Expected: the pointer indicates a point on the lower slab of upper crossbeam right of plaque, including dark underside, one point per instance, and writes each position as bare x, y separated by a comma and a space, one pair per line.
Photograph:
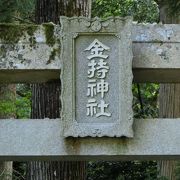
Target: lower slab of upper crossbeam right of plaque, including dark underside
156, 62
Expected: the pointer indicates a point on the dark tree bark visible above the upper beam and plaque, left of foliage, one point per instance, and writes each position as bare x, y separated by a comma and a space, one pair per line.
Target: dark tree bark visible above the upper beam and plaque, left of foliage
49, 11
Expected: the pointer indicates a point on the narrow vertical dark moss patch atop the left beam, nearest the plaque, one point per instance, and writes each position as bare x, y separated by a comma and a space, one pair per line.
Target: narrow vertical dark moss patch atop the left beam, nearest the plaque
49, 33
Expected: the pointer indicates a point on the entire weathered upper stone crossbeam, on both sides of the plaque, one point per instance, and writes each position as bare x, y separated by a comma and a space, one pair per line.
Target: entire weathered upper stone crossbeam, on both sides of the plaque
28, 52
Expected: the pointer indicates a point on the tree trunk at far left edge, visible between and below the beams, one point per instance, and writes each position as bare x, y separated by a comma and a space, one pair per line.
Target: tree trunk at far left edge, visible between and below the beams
7, 110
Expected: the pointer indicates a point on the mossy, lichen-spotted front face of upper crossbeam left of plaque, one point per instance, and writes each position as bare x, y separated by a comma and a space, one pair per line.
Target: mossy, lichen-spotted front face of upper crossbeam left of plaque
39, 49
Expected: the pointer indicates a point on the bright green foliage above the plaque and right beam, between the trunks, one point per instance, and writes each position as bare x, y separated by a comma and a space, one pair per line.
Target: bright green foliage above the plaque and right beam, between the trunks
142, 11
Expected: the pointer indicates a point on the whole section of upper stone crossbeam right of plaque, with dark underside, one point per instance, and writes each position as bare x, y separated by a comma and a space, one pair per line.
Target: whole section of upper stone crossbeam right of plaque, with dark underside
156, 51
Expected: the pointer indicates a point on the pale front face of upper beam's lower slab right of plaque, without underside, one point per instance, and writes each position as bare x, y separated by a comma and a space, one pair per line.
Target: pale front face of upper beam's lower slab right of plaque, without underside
156, 55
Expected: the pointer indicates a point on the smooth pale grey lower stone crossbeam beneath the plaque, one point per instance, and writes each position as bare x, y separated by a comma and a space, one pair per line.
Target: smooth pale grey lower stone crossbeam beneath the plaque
43, 140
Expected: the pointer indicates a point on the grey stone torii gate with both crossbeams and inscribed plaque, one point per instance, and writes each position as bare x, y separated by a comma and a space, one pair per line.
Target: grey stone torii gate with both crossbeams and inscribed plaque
30, 53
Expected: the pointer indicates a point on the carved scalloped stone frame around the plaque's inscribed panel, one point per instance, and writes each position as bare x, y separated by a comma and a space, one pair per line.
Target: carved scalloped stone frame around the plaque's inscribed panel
71, 28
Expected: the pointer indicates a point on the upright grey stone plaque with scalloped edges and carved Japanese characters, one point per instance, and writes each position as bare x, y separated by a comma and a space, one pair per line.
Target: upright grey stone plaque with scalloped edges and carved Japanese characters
96, 77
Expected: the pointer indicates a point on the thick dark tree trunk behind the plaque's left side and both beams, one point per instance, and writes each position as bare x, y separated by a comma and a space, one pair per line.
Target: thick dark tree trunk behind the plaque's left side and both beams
45, 97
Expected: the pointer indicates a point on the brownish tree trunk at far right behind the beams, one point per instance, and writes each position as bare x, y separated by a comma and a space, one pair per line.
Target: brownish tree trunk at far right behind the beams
169, 97
